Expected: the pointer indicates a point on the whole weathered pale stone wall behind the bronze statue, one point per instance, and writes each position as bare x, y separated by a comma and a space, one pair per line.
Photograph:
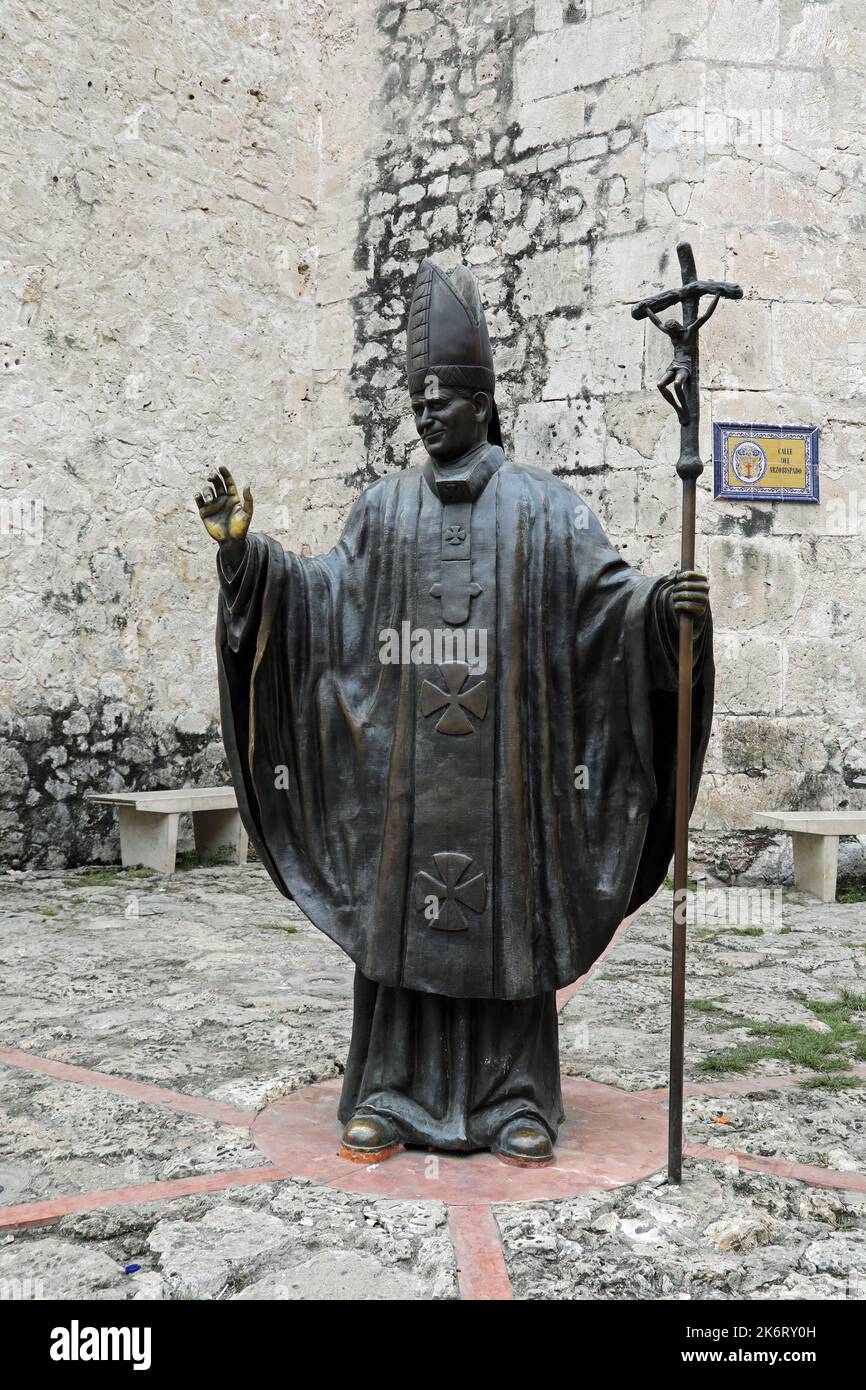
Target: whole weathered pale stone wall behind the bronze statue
209, 263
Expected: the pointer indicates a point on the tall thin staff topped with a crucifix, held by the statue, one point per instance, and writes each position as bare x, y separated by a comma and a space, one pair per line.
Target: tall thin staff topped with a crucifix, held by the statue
680, 387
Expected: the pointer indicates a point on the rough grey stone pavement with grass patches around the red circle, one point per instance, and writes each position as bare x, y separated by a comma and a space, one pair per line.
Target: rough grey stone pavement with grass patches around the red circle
211, 985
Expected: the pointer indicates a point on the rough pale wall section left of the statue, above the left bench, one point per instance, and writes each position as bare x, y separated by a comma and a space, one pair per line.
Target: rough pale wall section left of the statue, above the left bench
162, 166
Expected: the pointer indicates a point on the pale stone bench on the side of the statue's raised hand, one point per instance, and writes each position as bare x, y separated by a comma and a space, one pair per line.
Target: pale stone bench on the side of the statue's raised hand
149, 824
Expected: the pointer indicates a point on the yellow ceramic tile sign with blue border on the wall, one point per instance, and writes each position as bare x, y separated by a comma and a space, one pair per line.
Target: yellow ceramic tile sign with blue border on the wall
765, 464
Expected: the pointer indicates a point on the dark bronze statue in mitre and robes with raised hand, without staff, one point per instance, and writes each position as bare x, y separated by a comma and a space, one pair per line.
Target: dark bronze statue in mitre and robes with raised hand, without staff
405, 717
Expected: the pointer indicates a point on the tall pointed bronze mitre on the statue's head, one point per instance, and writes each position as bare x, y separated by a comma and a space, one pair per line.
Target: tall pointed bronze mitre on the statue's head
447, 336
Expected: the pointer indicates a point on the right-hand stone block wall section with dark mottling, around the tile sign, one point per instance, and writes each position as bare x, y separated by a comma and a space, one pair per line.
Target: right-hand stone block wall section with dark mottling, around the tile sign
562, 149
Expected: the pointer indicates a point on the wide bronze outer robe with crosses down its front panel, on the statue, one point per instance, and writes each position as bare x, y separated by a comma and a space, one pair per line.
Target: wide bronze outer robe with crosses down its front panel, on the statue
437, 822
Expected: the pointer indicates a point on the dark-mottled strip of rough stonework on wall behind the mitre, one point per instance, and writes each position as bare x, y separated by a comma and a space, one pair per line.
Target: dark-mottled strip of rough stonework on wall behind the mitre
430, 197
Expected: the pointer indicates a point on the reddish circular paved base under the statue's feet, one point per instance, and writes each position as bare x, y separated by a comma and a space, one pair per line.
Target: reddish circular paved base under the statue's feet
610, 1138
